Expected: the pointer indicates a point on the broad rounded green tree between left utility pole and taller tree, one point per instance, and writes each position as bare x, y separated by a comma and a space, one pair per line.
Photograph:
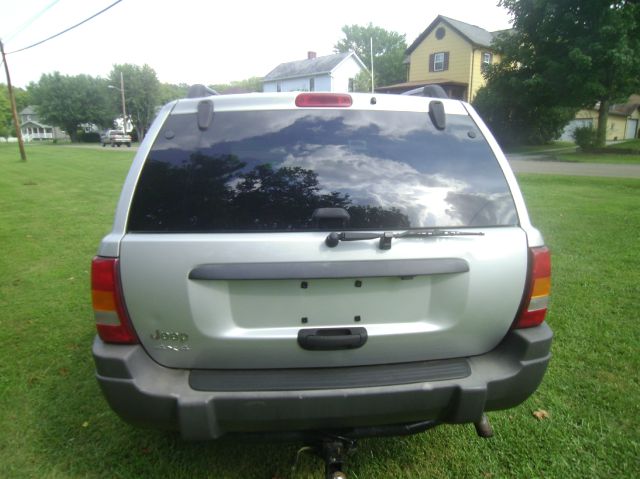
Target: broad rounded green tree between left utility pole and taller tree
68, 101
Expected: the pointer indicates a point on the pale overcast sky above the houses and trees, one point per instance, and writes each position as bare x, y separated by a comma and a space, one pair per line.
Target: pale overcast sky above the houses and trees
199, 41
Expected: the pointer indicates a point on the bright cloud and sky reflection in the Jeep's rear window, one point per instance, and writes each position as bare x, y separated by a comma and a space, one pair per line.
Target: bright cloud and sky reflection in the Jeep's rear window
389, 160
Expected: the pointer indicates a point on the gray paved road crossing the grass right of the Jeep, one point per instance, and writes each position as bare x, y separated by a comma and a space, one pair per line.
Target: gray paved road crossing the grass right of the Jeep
540, 164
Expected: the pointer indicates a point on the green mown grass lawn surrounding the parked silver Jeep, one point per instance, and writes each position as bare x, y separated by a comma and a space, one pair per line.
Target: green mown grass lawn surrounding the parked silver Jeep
55, 424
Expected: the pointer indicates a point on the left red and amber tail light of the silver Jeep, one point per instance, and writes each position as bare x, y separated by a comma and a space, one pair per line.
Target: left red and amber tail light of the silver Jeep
112, 320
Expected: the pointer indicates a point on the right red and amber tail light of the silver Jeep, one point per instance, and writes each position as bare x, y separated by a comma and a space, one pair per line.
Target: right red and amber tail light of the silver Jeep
535, 303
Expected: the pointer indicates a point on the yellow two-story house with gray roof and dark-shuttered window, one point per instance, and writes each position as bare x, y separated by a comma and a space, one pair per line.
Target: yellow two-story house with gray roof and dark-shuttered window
450, 53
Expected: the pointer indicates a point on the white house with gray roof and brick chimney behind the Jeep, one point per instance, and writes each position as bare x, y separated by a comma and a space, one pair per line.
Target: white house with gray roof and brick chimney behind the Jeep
329, 73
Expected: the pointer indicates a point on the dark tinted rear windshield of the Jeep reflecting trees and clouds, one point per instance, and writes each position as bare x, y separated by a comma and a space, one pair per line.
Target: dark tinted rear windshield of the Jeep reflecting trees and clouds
281, 170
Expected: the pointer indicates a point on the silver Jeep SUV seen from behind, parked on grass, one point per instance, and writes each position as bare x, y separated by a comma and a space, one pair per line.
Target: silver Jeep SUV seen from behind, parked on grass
356, 264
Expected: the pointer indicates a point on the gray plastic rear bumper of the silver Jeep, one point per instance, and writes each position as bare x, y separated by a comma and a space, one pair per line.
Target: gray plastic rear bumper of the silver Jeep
143, 392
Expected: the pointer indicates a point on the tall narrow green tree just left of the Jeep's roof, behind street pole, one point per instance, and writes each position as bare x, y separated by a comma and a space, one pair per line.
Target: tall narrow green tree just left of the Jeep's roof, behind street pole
142, 93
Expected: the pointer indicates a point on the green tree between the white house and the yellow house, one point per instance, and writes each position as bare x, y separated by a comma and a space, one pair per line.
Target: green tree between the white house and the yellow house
388, 51
